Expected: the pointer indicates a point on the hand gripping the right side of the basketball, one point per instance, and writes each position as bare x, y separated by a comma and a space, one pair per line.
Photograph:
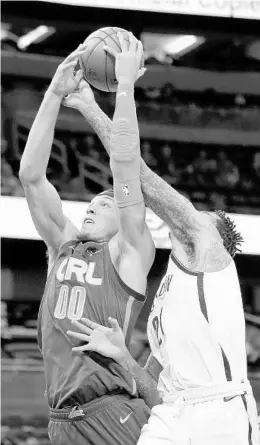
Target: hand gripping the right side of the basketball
127, 63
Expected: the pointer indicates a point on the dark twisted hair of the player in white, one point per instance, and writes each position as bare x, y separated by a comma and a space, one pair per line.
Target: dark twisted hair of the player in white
231, 238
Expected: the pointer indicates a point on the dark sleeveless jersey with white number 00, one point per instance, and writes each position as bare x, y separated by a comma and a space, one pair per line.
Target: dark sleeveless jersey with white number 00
83, 283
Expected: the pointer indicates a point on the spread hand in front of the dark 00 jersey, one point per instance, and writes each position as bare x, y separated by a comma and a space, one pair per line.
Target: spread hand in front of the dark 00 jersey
109, 342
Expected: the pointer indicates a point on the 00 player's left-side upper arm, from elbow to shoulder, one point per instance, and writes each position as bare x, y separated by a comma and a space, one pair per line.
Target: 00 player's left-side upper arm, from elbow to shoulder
46, 211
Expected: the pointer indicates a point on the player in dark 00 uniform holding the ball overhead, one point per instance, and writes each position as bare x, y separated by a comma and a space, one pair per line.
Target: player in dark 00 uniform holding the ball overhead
98, 271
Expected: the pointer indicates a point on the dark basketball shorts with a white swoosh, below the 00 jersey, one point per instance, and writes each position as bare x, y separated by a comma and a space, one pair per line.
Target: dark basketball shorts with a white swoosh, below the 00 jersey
109, 420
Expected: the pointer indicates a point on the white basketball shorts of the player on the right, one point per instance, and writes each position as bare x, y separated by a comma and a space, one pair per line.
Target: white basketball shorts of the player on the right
216, 422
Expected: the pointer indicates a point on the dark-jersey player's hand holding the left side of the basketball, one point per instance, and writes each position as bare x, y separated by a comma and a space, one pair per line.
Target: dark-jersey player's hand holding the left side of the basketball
64, 80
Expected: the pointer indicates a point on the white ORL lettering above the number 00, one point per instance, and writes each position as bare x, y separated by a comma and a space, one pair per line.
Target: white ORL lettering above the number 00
75, 268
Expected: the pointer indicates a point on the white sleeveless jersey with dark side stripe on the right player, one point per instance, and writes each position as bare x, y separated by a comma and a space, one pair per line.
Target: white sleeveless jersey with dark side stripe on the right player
196, 328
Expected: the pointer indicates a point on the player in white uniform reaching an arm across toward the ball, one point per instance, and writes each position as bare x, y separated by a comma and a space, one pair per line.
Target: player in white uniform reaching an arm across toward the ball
196, 327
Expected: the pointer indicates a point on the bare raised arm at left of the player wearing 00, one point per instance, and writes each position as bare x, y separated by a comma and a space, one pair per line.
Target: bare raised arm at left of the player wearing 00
43, 200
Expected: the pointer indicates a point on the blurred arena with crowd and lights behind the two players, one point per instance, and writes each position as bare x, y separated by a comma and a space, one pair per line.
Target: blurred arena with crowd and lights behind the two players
198, 107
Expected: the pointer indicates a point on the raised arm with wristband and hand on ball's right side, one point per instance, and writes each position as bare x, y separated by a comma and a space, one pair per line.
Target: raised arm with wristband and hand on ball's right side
134, 236
